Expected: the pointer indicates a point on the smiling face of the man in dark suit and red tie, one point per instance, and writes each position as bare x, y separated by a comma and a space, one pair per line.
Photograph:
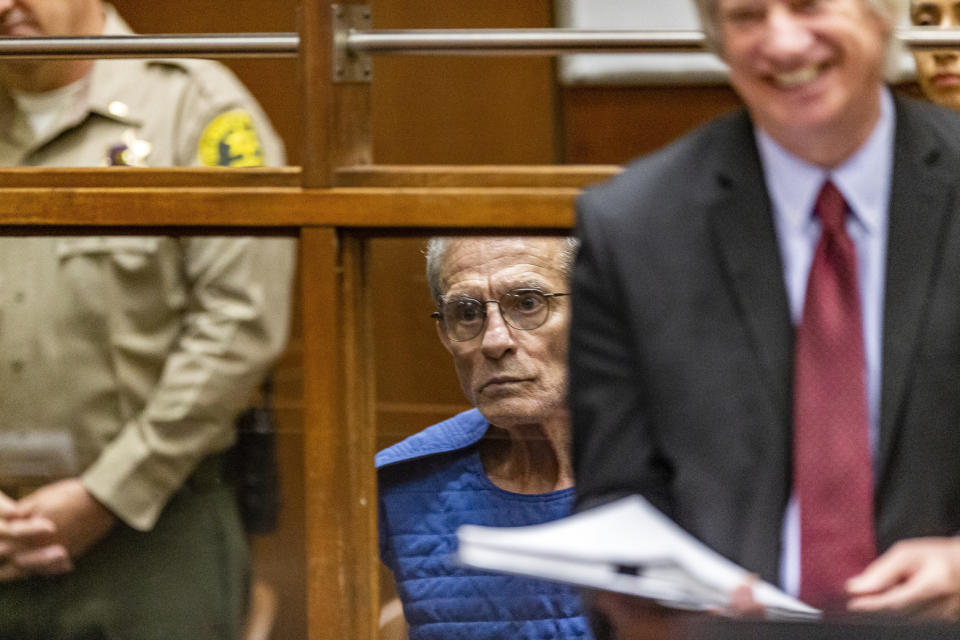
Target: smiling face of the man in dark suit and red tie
809, 71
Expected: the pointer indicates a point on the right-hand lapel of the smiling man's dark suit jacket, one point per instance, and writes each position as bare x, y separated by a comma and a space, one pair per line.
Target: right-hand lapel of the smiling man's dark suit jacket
921, 195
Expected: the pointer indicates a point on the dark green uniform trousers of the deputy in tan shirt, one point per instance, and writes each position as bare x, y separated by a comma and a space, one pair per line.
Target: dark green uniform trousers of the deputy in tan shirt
187, 579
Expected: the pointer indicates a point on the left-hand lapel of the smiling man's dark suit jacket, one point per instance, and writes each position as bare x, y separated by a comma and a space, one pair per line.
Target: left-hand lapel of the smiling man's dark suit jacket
744, 235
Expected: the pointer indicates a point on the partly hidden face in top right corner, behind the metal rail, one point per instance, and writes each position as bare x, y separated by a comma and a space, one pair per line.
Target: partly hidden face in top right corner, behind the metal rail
938, 72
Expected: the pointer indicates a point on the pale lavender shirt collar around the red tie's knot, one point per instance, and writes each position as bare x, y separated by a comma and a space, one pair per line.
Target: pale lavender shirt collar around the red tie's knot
863, 179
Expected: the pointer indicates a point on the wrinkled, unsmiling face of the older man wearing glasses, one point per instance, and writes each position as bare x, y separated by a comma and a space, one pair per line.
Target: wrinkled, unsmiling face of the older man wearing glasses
513, 377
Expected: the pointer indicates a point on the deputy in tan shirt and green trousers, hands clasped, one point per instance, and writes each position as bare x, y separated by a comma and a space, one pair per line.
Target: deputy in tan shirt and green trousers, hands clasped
123, 360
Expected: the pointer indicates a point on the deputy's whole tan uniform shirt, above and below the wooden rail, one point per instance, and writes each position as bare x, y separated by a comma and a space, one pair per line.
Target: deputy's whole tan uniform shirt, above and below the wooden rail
125, 359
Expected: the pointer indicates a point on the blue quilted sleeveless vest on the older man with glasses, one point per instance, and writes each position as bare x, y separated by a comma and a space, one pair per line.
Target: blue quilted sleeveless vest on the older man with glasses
430, 484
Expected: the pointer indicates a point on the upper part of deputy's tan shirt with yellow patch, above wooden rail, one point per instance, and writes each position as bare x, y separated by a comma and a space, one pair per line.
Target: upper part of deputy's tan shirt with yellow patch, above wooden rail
184, 109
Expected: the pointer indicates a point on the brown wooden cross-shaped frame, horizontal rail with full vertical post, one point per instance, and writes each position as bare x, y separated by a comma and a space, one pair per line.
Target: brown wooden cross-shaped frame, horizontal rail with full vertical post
334, 204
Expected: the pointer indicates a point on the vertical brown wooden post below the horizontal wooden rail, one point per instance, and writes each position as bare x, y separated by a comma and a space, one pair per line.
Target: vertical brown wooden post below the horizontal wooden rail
342, 565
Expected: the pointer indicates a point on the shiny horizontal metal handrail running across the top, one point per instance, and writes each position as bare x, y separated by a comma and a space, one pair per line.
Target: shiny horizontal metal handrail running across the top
401, 42
